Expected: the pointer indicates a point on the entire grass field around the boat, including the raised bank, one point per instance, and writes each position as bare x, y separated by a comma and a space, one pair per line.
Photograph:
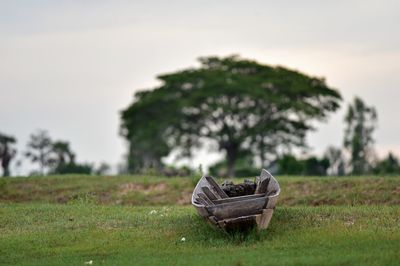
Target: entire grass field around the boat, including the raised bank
71, 220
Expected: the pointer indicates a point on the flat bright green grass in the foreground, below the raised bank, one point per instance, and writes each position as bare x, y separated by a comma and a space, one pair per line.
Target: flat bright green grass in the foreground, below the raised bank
54, 234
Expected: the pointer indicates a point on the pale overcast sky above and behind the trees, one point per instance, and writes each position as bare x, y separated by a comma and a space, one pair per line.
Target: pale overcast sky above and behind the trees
70, 66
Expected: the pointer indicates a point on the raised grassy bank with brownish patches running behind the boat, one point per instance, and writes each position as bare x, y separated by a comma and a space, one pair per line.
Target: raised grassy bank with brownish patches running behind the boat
142, 190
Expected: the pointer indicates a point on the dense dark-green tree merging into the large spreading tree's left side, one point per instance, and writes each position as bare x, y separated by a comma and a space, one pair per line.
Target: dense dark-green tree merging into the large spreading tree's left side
144, 125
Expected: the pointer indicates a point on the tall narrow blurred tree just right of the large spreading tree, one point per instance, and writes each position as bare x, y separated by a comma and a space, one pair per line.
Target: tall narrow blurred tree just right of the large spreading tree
360, 125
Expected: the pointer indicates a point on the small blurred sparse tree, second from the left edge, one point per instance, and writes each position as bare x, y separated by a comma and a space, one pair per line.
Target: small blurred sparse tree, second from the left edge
39, 150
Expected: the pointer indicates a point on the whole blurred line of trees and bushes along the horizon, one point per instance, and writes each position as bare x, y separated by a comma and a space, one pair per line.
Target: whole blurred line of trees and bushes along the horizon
256, 115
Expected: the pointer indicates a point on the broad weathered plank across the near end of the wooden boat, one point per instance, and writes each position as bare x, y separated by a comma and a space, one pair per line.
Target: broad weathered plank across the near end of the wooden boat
238, 208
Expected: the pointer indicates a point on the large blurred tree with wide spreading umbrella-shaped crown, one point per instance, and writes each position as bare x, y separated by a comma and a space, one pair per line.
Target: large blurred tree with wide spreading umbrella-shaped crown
238, 104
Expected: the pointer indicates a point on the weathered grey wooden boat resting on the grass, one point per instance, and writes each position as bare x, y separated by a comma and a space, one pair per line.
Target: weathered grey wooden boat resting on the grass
241, 212
